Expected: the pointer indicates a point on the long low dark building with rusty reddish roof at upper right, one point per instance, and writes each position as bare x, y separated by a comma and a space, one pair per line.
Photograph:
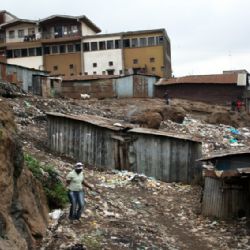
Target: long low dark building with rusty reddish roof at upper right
215, 88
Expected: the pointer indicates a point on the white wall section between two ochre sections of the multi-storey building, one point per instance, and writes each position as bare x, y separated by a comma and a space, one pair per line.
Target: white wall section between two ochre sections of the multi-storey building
102, 58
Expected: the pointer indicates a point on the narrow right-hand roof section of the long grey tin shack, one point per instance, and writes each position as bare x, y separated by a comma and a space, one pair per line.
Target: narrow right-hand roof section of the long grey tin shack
163, 133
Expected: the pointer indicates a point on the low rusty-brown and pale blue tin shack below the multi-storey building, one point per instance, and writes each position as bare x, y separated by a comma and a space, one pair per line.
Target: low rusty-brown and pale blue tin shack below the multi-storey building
108, 86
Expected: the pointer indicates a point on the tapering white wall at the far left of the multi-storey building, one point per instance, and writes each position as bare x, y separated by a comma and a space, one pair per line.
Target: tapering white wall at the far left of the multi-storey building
35, 62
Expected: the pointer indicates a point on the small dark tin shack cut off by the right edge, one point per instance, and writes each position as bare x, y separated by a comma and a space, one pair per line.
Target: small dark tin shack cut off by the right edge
227, 185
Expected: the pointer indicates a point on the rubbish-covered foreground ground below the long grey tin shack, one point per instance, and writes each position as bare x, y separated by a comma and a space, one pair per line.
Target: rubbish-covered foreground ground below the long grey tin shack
132, 211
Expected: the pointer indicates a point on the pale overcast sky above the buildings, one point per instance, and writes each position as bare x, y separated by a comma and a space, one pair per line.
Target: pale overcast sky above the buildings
207, 36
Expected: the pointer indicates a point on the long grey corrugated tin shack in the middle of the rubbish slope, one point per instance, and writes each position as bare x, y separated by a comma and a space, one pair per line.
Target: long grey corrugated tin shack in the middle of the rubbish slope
107, 144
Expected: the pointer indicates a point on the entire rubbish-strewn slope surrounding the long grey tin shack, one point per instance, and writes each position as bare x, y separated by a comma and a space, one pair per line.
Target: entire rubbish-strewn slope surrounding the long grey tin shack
130, 211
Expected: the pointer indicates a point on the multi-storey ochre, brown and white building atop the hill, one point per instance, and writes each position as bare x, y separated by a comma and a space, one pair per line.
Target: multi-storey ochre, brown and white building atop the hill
71, 45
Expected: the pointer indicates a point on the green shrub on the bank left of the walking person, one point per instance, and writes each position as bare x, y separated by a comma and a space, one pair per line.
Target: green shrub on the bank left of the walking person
54, 189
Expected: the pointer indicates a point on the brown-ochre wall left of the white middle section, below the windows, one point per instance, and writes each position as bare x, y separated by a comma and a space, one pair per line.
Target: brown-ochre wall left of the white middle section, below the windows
63, 62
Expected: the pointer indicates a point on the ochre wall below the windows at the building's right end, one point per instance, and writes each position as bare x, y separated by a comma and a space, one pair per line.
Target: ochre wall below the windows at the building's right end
143, 56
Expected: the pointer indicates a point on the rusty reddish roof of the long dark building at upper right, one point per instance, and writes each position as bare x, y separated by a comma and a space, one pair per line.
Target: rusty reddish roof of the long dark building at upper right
201, 79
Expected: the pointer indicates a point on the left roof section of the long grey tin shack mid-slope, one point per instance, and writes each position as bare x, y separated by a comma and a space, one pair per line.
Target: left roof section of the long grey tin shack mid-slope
95, 120
